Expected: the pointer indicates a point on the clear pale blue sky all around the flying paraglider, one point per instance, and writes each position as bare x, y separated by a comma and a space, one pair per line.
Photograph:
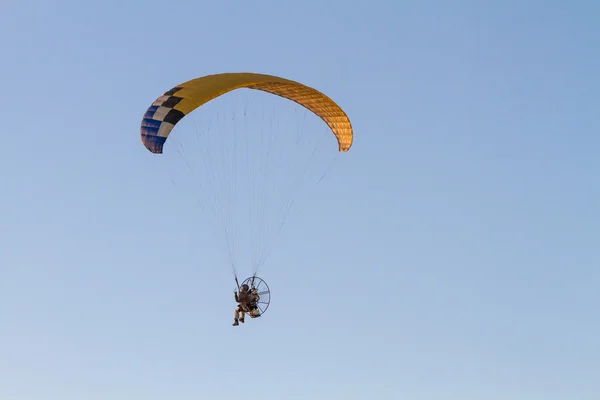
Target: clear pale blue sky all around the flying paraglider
453, 253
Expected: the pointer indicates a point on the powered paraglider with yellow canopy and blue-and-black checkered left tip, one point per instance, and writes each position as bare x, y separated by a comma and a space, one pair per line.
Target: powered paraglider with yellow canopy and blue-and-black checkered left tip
247, 178
